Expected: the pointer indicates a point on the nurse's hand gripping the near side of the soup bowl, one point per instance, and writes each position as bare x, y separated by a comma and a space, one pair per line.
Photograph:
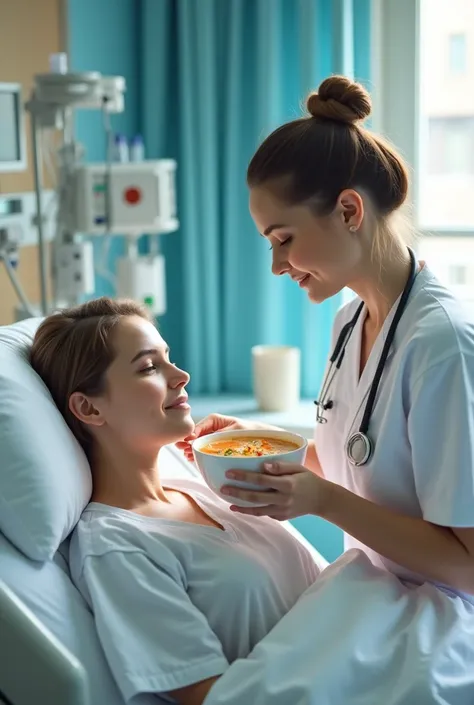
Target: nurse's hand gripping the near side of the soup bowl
291, 491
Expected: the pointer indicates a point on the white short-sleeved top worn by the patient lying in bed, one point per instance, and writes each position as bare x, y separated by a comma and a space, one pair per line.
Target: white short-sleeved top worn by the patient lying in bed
175, 603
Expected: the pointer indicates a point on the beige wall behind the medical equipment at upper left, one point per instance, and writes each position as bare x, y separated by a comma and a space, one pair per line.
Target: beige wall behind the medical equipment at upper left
30, 30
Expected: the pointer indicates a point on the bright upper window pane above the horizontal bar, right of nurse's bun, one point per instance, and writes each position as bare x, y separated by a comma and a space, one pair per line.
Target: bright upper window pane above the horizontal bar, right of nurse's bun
446, 116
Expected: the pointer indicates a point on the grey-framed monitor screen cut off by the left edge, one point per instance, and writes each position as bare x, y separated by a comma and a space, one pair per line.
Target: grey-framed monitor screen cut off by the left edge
12, 136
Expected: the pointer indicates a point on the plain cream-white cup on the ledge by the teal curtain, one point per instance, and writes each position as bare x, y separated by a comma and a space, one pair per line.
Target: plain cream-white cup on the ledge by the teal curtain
276, 376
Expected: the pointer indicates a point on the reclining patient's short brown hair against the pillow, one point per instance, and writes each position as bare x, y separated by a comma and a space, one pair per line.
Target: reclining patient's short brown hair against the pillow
72, 350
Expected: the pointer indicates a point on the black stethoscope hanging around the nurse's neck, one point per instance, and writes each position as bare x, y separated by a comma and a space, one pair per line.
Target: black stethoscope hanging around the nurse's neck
359, 447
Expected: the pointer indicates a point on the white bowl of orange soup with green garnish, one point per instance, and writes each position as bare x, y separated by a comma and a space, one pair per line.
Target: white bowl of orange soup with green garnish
217, 453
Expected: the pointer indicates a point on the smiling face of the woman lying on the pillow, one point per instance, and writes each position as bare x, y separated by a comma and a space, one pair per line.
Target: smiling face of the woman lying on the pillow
145, 403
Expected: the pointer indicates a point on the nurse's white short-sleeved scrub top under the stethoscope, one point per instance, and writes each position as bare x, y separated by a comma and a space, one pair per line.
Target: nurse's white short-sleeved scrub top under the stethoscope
422, 423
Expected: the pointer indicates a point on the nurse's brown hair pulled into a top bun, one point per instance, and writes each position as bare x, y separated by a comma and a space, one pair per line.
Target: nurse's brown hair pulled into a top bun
318, 156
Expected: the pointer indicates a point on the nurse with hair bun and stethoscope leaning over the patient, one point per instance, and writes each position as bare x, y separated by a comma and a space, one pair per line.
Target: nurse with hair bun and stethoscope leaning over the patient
392, 462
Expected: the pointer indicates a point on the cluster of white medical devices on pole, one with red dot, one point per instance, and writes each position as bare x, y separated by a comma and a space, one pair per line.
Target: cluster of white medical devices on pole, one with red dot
98, 199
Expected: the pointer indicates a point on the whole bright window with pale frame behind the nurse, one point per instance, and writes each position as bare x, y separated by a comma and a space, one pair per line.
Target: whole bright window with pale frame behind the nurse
424, 102
